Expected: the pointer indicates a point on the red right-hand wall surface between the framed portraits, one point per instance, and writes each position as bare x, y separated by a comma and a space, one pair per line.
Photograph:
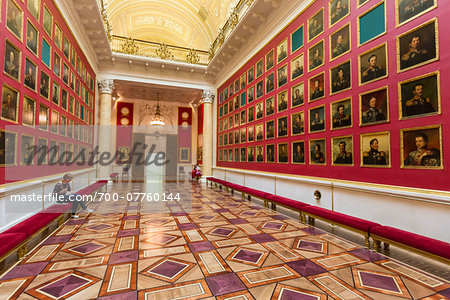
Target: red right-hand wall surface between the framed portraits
393, 175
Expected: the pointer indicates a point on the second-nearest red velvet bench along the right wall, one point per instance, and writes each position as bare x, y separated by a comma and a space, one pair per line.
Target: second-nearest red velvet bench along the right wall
355, 224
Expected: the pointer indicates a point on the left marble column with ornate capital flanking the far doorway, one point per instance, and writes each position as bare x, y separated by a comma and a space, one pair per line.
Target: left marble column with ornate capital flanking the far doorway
105, 89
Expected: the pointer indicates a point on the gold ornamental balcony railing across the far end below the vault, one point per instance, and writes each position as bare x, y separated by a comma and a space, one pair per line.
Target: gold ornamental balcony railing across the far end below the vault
131, 46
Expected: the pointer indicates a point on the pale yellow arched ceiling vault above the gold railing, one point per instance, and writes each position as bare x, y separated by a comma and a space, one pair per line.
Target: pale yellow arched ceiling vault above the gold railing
190, 24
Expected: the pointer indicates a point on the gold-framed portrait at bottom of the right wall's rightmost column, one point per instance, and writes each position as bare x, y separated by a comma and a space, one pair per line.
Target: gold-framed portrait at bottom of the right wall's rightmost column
421, 147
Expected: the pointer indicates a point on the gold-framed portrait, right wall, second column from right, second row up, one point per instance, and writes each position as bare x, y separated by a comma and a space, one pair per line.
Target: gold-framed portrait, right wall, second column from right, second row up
374, 107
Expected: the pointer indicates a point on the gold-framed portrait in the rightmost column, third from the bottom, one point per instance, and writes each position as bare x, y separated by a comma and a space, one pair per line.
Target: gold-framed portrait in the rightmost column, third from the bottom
418, 46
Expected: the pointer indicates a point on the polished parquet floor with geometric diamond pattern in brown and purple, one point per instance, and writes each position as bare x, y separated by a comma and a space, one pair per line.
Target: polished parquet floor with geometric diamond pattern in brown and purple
221, 248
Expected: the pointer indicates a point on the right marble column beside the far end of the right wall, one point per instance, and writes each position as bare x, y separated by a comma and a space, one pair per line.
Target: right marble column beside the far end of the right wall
208, 98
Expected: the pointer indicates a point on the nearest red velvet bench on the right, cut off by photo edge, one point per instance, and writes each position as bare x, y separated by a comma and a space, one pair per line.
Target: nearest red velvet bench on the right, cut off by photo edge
420, 244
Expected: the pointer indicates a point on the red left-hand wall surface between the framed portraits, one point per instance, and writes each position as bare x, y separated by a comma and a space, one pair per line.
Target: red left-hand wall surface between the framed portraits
18, 172
